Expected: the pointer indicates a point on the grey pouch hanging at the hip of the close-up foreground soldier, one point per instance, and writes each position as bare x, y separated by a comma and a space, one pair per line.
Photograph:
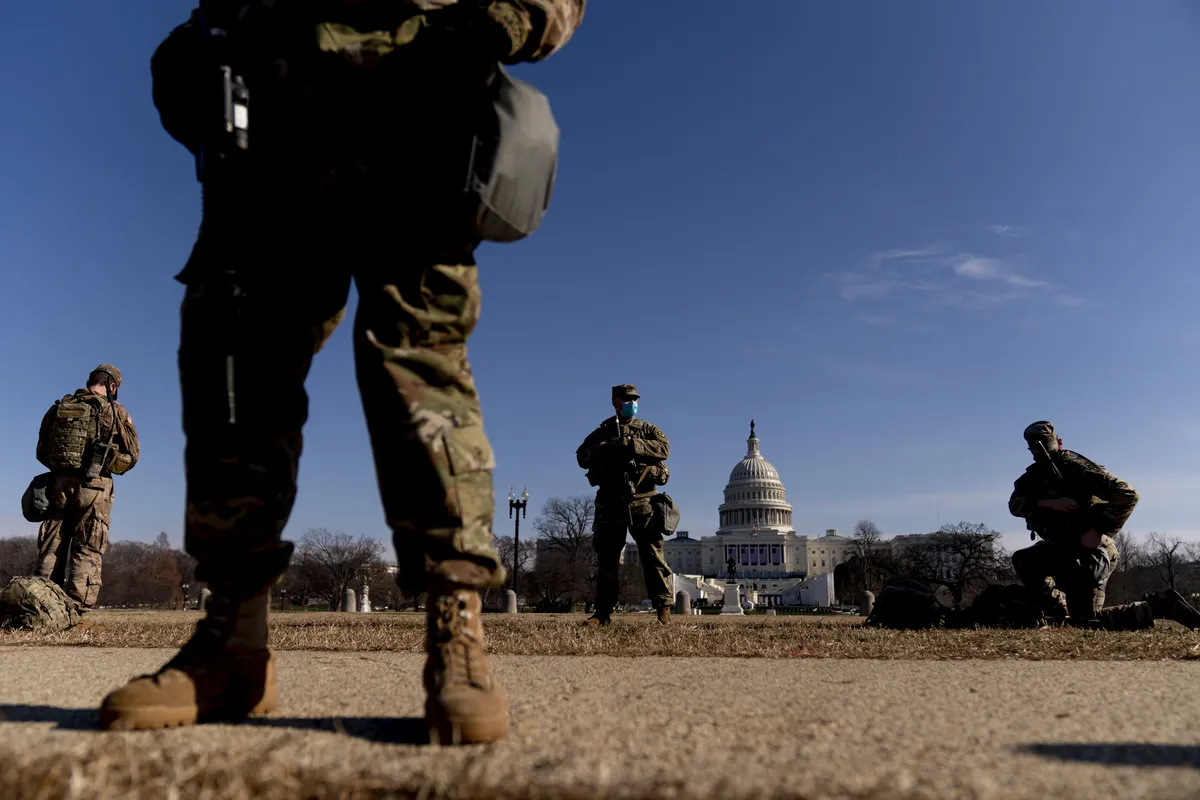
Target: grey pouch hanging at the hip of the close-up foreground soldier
514, 161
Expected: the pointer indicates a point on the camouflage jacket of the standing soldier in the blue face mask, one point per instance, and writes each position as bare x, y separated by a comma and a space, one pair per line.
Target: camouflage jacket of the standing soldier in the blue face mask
608, 460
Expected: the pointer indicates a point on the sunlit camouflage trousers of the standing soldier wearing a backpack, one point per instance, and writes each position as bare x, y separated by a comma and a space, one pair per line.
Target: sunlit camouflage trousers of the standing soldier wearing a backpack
71, 546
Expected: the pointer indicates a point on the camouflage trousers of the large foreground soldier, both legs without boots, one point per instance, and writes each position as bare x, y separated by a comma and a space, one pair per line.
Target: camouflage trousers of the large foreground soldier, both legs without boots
418, 304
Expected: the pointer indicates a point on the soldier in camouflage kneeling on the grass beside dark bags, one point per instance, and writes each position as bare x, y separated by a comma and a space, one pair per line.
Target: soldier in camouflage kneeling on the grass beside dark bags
1078, 508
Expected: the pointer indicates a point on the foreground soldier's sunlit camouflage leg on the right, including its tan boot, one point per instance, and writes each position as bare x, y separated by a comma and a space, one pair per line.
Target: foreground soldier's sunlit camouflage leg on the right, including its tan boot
434, 465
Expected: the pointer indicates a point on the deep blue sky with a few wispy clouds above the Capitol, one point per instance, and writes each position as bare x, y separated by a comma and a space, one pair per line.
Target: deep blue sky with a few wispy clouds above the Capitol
893, 234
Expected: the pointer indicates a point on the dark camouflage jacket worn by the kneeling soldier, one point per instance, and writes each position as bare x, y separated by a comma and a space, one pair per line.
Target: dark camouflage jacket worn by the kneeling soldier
1106, 502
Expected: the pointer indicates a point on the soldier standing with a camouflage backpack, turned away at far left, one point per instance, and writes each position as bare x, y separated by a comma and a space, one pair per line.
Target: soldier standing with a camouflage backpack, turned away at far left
86, 438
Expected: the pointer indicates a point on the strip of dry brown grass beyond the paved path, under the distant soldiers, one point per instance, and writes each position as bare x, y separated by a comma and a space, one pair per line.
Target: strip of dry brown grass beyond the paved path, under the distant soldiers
638, 635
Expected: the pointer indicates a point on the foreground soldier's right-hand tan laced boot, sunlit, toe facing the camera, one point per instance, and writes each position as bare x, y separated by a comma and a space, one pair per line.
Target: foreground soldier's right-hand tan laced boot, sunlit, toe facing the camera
464, 702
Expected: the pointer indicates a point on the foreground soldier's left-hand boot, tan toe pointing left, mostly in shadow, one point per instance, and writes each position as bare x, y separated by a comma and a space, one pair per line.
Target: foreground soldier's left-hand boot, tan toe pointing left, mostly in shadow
224, 673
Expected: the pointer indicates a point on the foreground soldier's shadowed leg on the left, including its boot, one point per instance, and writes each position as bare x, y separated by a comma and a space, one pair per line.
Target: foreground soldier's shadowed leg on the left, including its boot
243, 364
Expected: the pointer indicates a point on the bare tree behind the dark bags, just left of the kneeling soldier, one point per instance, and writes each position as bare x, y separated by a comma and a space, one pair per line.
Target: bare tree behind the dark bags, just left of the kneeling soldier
965, 558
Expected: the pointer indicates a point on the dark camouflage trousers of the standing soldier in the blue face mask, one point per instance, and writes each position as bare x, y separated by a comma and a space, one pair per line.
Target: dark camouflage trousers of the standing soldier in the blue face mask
611, 525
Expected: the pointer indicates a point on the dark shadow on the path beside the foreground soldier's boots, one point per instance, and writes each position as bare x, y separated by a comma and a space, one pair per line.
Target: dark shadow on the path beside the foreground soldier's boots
389, 731
